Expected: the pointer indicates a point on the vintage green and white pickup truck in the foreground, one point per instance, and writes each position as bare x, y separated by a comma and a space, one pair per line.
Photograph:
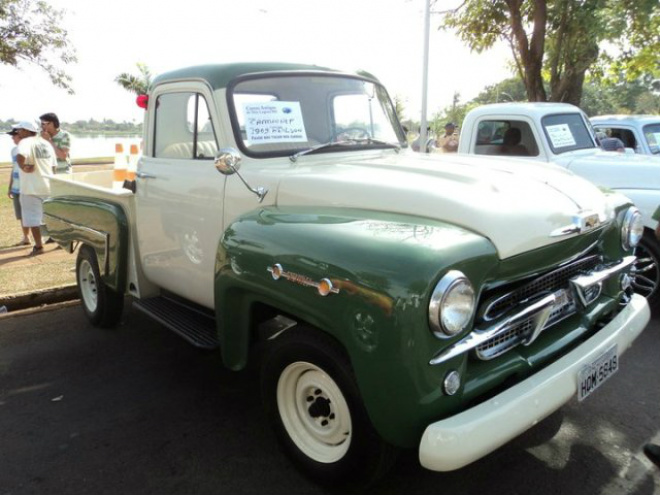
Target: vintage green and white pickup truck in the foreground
446, 303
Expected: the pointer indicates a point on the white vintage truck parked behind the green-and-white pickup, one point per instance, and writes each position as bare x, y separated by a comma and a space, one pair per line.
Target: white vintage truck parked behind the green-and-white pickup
560, 133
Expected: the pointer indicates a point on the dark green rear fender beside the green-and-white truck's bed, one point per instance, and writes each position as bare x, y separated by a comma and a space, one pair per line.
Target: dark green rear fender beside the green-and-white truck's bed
101, 224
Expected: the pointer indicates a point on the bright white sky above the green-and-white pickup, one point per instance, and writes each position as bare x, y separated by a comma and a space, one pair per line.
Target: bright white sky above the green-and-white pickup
383, 37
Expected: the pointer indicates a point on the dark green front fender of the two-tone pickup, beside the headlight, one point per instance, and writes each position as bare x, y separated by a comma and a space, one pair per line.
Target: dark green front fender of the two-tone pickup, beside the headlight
382, 268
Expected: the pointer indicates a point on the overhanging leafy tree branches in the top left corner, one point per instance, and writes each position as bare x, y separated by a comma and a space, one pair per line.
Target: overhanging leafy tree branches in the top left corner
31, 31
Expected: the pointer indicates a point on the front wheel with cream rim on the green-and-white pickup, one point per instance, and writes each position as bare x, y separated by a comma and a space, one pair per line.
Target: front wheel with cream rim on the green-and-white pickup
326, 432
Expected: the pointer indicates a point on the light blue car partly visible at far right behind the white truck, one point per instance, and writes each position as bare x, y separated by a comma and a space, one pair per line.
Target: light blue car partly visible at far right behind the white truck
638, 132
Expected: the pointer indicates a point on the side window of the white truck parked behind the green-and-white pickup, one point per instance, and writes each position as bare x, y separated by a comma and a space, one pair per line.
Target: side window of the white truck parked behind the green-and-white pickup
505, 137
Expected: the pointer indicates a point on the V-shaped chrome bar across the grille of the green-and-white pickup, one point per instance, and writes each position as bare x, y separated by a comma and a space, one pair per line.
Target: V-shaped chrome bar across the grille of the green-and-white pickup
540, 309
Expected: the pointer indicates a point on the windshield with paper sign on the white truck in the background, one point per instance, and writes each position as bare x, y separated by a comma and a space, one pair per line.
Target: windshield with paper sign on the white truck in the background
567, 132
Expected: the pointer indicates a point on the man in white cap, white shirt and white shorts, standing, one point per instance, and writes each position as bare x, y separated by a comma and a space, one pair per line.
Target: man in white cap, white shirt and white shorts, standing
36, 161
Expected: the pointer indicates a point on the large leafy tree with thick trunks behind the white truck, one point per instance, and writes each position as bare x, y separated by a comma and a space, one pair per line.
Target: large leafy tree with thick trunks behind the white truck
559, 40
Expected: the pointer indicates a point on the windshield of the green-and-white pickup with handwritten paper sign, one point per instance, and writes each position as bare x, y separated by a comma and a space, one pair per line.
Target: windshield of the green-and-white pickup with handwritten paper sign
281, 115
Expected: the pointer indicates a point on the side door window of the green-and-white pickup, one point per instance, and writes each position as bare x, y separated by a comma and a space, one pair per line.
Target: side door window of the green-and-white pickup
184, 129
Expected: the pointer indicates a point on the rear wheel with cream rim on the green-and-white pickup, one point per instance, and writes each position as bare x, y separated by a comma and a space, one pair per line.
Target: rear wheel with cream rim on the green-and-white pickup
102, 305
